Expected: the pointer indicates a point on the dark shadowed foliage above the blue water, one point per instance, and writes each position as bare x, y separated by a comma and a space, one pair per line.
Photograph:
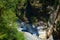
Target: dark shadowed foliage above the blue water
34, 8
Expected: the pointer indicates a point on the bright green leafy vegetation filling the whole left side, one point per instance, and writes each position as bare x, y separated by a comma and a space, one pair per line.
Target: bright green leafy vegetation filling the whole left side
8, 26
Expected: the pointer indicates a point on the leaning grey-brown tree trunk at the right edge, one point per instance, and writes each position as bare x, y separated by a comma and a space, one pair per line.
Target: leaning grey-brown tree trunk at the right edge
53, 18
